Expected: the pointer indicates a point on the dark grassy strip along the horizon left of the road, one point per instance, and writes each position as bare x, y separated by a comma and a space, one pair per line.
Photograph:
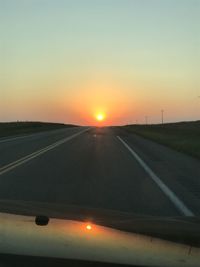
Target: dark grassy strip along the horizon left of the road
21, 128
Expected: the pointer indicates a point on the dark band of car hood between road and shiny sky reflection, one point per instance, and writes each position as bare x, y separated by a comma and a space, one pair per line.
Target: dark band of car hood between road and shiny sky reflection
181, 229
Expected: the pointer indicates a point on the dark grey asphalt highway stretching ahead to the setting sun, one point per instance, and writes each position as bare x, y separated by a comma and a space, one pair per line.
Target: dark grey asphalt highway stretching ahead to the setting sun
103, 168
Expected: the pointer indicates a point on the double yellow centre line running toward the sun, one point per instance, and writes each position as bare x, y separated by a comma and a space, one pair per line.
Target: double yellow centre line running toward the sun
37, 153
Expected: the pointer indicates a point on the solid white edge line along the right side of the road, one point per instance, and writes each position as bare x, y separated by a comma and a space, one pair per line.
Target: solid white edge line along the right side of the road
171, 195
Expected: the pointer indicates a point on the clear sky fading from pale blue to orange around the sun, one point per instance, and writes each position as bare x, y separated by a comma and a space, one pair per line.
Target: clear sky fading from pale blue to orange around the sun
65, 61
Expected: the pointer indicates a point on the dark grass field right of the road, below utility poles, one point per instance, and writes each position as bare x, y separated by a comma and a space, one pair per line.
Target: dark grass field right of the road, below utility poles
181, 136
